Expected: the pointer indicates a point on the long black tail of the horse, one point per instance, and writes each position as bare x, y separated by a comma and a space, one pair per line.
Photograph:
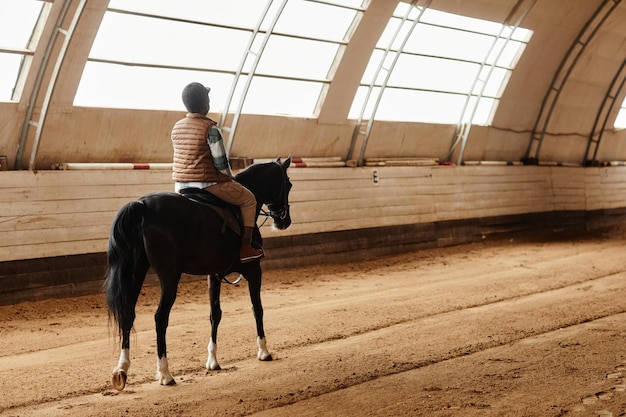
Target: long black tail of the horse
125, 248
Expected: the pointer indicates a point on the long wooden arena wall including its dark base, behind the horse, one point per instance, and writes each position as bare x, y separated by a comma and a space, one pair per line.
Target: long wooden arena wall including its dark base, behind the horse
54, 225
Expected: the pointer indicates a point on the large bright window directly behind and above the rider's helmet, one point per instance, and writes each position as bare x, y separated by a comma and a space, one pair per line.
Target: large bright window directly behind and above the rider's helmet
147, 50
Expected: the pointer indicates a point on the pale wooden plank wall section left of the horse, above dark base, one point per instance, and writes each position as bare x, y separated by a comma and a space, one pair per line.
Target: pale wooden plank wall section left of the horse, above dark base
57, 213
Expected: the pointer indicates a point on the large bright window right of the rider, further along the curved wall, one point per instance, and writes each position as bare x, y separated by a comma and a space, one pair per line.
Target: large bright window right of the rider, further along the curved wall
440, 64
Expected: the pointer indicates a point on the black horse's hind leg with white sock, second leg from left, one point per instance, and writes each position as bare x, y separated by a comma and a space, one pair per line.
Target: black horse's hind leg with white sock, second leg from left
169, 287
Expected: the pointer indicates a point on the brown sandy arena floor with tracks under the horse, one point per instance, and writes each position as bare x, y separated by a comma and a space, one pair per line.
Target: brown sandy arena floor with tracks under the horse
509, 328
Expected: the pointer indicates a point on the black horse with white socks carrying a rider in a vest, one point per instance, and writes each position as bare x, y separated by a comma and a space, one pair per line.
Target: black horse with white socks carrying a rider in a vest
174, 234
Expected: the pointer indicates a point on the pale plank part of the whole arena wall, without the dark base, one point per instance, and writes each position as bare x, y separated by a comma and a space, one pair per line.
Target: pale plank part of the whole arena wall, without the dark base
59, 213
